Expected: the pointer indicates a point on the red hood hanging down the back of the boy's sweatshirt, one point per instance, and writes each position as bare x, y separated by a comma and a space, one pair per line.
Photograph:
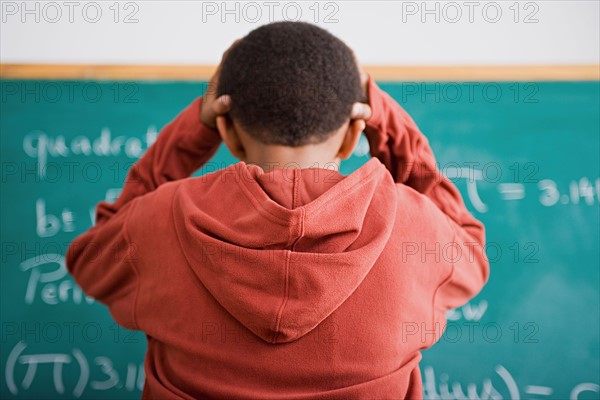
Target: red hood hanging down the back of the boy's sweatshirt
281, 251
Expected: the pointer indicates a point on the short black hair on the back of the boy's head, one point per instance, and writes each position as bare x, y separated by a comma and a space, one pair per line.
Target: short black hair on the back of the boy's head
291, 83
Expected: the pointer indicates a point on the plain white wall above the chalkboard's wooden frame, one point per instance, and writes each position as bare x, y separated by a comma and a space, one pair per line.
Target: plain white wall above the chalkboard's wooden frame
381, 32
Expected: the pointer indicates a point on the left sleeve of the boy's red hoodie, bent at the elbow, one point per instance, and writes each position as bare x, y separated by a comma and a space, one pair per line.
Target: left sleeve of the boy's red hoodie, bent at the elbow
102, 260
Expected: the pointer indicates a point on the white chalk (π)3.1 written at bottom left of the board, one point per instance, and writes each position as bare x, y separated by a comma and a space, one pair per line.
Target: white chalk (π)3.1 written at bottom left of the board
21, 372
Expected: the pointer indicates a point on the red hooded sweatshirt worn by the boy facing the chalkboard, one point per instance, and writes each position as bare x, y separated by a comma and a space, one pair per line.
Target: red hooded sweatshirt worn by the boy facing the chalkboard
292, 284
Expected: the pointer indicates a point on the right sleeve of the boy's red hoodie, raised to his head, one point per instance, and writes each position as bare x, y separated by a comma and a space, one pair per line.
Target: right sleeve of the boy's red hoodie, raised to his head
396, 141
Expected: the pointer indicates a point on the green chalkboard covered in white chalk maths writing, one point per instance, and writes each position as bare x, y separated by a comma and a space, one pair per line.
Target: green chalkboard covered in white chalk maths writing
524, 155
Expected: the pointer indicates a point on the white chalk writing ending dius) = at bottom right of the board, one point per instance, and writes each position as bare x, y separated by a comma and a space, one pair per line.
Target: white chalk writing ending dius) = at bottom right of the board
506, 387
